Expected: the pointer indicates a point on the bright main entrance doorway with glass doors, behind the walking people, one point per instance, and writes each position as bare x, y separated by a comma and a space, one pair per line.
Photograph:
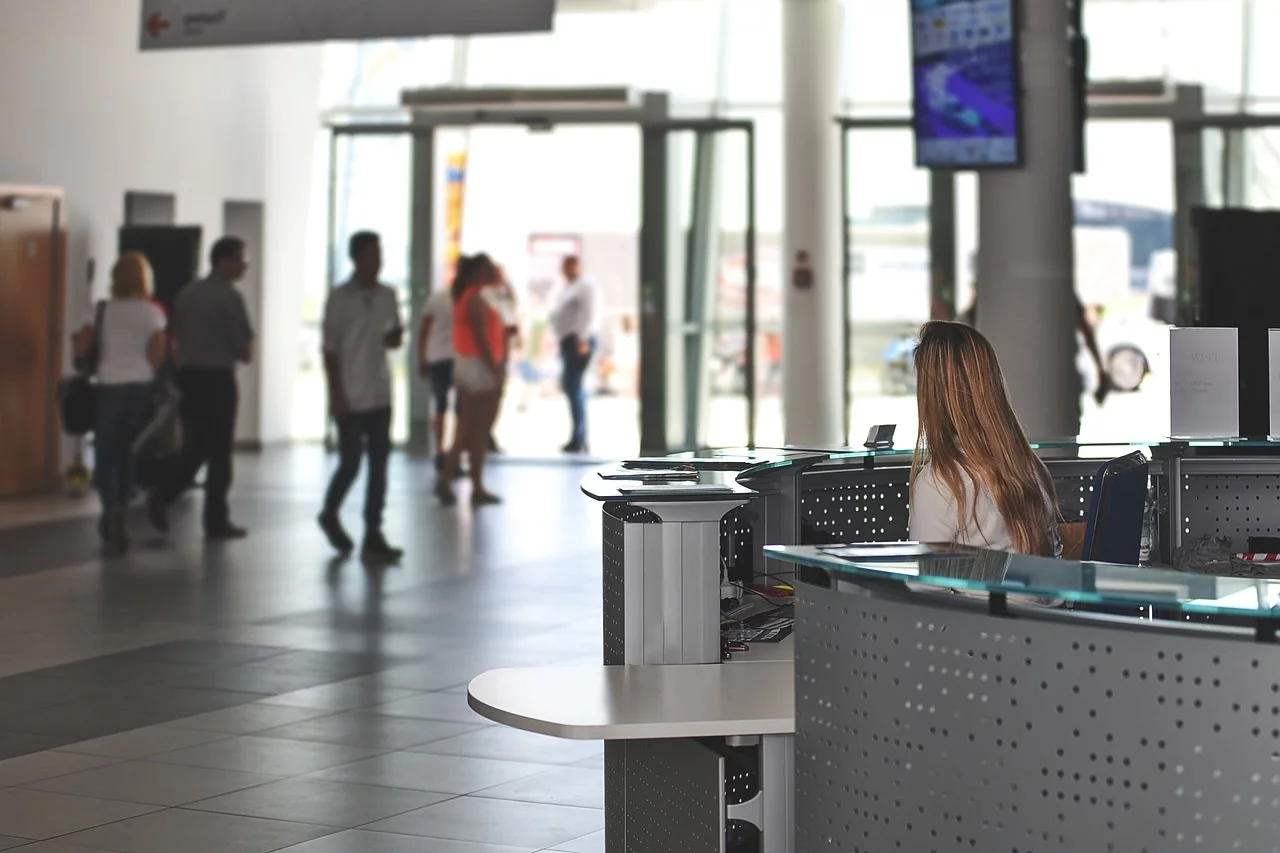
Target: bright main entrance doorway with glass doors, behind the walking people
670, 243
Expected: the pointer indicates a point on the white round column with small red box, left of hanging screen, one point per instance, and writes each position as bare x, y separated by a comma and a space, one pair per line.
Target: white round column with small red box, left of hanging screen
812, 366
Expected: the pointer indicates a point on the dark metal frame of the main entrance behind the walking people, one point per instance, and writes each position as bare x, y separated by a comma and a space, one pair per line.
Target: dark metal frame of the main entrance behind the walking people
662, 430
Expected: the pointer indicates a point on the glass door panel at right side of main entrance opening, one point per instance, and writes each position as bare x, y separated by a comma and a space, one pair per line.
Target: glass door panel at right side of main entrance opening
698, 286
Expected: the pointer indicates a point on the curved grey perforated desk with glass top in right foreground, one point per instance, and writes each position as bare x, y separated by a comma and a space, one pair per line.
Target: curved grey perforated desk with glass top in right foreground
932, 722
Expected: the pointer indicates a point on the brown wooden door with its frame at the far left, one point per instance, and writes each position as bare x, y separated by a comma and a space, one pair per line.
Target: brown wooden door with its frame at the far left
31, 337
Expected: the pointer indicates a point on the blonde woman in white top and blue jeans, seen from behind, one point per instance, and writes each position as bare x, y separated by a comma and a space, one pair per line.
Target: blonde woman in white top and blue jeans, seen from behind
131, 348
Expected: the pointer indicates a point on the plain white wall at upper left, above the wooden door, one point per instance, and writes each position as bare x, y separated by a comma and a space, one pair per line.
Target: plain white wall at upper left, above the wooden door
81, 108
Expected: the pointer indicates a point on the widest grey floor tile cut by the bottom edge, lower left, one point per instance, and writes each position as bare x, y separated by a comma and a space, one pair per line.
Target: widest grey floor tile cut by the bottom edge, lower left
173, 831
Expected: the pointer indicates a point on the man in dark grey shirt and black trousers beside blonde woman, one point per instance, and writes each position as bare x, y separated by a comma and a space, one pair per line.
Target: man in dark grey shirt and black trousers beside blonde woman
212, 334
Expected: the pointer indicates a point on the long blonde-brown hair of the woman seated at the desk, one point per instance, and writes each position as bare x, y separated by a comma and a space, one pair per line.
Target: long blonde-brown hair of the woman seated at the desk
968, 426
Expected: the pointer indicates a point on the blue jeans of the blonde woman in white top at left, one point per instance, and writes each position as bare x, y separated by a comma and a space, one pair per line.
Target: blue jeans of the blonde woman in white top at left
122, 416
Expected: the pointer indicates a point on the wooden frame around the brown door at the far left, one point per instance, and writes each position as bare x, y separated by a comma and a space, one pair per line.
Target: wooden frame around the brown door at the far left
56, 320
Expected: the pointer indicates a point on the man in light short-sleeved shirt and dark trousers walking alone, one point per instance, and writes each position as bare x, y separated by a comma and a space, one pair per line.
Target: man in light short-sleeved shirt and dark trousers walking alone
362, 323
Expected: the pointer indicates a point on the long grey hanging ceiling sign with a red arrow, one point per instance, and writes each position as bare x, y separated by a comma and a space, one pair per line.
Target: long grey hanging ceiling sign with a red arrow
212, 24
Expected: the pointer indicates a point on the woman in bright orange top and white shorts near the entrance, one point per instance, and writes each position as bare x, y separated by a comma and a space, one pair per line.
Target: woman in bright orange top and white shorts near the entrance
481, 362
